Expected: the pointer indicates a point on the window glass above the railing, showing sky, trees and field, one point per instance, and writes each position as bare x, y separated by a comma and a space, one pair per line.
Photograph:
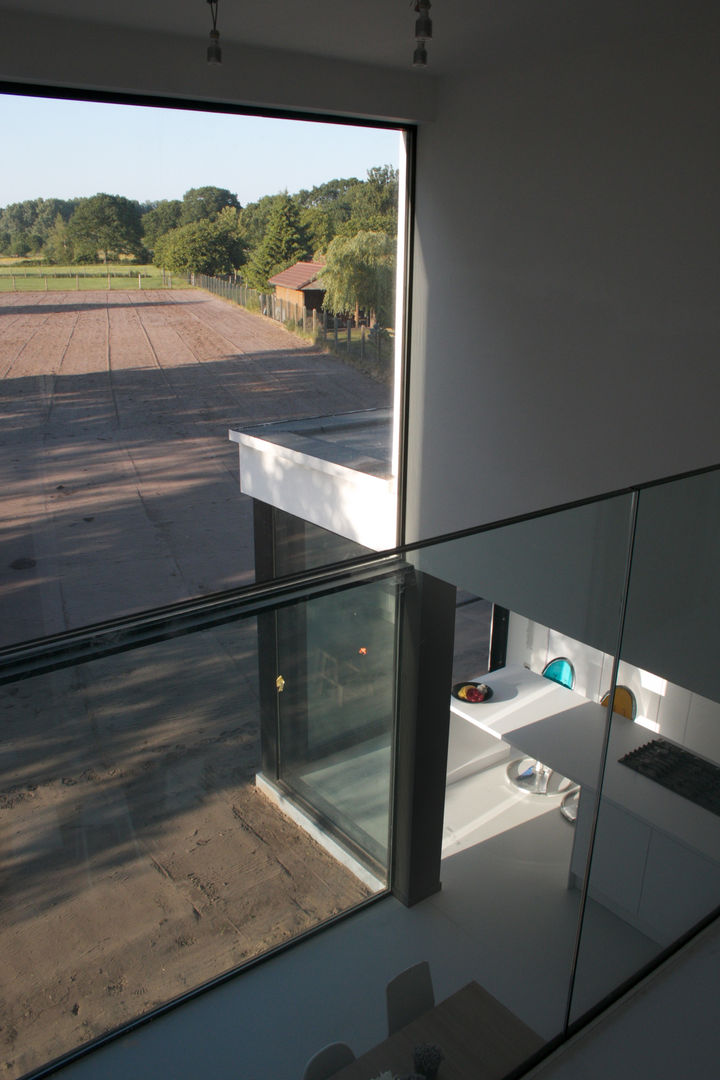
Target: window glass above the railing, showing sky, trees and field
124, 370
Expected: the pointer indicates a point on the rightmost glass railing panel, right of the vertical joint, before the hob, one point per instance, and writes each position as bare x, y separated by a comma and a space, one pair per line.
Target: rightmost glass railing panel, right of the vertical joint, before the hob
656, 869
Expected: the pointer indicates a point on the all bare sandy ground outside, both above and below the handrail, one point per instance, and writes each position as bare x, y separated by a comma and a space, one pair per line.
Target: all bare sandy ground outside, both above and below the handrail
137, 858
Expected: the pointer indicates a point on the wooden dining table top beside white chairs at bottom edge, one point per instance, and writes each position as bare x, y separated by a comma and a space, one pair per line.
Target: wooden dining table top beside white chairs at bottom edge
479, 1036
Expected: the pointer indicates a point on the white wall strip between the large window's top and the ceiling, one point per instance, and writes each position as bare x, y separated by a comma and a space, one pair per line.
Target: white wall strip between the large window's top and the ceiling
65, 53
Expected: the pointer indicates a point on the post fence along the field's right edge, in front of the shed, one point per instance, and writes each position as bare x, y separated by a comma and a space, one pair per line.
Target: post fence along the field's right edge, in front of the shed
369, 347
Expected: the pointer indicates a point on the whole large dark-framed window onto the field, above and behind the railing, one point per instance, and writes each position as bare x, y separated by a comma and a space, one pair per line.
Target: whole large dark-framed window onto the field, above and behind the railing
168, 276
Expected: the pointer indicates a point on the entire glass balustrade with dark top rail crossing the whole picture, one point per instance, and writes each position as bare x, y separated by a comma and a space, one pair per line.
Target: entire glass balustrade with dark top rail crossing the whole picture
189, 790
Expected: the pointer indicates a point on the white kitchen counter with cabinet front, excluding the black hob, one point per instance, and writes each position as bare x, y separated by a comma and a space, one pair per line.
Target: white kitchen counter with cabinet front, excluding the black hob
656, 859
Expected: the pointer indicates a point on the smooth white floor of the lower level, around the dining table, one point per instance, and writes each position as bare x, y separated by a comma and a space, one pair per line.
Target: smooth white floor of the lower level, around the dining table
505, 917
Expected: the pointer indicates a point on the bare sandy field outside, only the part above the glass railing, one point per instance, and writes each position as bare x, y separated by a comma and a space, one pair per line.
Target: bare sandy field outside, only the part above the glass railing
120, 485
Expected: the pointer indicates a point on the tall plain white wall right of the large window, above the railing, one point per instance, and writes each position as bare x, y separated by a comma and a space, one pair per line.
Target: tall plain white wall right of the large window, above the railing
565, 316
